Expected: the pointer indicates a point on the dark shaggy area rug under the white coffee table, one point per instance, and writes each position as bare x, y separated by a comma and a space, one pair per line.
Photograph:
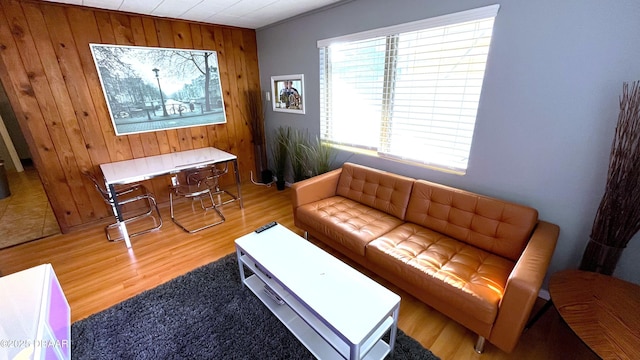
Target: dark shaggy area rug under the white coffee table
204, 314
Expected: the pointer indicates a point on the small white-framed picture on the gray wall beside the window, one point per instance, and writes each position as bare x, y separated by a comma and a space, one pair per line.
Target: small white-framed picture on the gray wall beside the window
288, 93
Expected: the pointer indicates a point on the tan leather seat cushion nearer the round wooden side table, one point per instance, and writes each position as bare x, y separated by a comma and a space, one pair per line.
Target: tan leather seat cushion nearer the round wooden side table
471, 280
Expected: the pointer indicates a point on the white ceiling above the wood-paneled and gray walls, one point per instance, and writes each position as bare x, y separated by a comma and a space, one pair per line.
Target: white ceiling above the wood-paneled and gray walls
251, 14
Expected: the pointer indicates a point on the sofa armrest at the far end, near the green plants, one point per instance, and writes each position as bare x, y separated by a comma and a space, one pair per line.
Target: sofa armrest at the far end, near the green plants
315, 188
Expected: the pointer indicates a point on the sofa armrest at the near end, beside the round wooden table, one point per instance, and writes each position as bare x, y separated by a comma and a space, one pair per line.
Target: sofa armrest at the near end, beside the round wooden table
523, 285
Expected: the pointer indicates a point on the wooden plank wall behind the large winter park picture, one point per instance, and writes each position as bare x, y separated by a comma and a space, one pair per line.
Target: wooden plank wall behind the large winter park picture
52, 82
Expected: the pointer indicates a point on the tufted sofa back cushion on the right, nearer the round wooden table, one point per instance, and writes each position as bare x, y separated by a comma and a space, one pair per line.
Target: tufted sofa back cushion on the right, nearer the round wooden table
494, 225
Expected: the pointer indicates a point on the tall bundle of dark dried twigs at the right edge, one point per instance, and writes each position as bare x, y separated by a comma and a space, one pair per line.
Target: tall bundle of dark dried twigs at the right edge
618, 217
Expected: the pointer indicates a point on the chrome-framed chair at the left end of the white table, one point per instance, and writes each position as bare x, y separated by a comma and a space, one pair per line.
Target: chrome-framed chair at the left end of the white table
130, 194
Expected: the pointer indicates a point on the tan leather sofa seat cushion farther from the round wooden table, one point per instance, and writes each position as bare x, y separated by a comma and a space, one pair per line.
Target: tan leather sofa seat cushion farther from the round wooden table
346, 222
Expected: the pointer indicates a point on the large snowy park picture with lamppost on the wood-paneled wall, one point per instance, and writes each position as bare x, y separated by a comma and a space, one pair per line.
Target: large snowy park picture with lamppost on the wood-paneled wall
153, 89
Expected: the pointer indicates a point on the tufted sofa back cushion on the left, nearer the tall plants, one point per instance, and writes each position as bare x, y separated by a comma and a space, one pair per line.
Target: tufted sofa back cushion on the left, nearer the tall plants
378, 189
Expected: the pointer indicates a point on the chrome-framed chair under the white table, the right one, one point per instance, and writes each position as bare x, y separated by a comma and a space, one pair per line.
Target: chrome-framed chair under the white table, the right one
187, 185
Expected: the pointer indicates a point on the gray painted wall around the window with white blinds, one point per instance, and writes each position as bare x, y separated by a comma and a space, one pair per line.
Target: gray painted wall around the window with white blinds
548, 109
